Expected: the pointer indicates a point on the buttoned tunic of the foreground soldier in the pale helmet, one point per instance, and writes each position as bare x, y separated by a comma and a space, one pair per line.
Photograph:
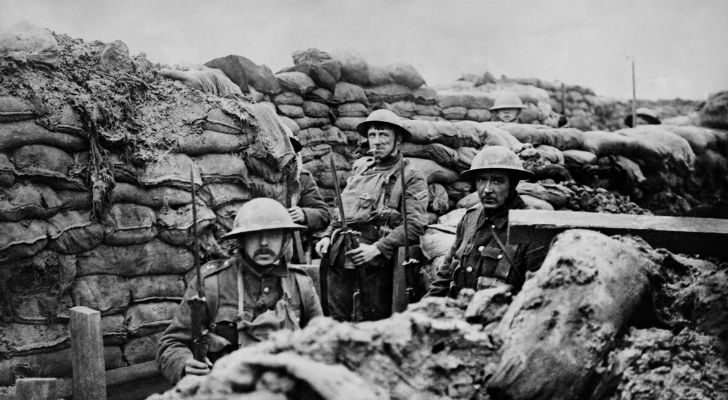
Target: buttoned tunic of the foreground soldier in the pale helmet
279, 297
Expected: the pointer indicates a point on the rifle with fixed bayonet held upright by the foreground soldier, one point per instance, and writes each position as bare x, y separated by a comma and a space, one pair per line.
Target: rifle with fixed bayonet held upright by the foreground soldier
198, 302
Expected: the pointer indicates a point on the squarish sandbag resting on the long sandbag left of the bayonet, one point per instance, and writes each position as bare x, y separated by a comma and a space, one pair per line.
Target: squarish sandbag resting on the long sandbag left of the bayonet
128, 223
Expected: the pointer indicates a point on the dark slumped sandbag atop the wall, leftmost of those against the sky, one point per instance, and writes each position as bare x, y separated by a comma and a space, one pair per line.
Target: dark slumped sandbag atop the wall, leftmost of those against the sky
245, 73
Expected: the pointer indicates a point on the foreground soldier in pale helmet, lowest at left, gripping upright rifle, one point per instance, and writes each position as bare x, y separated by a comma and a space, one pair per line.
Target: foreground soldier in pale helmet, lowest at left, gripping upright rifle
248, 295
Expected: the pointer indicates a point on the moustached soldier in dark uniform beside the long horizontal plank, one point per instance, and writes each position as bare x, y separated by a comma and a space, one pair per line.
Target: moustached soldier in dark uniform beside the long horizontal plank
480, 256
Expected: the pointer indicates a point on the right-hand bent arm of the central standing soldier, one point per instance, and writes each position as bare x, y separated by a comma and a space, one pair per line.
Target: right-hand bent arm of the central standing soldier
416, 198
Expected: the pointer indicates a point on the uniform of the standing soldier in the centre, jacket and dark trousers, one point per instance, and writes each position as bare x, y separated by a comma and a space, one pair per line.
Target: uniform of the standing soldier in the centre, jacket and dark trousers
371, 201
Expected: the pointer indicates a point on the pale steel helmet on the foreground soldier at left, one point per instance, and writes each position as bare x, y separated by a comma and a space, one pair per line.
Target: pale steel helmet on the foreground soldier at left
261, 214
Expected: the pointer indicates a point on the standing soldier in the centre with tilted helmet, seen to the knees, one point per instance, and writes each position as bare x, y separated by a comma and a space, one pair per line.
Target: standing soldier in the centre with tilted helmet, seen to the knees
371, 202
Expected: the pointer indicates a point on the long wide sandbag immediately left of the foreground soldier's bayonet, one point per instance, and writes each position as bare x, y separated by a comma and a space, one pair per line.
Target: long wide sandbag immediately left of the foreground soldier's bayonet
152, 258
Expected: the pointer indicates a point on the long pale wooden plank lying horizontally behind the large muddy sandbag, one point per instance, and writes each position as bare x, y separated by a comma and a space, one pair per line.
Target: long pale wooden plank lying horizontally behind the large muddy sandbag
704, 236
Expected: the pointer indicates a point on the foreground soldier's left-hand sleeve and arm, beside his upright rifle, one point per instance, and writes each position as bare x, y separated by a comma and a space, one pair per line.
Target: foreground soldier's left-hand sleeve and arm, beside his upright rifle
175, 344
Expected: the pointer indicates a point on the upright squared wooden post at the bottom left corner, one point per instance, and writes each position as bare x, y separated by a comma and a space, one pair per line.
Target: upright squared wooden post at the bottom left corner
87, 354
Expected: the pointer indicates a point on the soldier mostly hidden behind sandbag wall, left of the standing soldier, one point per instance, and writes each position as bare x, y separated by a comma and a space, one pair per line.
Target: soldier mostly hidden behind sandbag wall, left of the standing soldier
308, 206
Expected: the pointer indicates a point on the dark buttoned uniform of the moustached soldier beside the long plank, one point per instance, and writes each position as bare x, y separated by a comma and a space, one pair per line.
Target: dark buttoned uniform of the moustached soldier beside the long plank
475, 257
